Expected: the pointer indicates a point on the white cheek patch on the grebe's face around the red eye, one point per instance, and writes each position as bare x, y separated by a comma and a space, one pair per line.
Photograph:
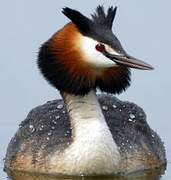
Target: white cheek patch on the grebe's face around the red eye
92, 56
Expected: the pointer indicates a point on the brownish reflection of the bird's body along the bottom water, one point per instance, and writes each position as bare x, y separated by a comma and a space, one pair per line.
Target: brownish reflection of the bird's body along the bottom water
148, 175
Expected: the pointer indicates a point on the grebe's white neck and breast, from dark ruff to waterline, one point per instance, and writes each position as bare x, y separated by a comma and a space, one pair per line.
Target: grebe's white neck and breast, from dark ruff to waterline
93, 149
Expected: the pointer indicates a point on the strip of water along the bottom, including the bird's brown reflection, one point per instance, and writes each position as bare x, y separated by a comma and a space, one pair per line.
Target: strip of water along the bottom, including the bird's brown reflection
158, 174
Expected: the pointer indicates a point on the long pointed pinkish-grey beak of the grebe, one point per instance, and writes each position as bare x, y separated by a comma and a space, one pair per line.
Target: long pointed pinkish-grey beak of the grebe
128, 61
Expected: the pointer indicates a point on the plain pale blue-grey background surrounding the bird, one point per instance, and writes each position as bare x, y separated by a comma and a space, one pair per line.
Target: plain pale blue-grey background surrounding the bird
143, 27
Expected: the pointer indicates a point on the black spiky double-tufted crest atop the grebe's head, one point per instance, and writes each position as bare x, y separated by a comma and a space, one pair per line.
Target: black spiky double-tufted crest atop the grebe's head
98, 25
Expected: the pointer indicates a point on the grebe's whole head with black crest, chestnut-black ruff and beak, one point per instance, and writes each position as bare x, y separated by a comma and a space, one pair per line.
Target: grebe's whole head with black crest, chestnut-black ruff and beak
85, 55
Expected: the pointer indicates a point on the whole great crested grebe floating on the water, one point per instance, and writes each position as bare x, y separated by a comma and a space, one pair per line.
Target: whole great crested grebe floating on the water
86, 134
